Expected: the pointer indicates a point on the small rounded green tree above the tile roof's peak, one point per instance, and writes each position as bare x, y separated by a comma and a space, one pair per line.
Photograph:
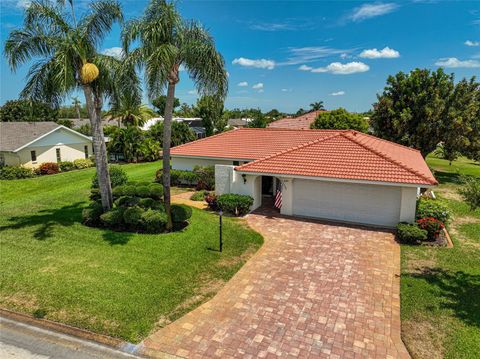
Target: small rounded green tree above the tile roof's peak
340, 119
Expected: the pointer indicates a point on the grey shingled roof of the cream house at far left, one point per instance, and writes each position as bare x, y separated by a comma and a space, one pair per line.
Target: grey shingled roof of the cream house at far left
16, 135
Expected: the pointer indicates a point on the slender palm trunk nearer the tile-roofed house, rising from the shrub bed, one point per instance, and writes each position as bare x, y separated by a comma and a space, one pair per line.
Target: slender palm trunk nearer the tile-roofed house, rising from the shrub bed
167, 137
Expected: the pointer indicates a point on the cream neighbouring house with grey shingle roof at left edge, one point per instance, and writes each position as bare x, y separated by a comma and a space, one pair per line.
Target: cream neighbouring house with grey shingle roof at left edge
31, 143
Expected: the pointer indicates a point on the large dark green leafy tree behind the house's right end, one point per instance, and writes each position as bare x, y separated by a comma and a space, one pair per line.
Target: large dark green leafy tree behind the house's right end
425, 108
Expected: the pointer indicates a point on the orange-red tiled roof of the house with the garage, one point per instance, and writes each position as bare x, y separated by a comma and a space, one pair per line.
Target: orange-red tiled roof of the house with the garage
340, 154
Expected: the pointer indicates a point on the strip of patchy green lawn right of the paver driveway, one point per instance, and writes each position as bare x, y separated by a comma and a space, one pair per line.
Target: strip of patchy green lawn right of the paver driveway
440, 287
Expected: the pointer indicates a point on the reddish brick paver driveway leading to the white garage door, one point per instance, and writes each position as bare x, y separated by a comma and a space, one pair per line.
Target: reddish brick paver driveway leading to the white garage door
313, 290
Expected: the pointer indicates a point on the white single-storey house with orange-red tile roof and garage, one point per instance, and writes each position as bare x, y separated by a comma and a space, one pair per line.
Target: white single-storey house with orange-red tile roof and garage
332, 174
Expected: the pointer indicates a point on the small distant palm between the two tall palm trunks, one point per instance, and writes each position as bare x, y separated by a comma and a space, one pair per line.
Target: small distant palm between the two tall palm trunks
130, 111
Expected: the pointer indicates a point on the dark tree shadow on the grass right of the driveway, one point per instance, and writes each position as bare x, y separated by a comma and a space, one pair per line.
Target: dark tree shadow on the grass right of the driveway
460, 292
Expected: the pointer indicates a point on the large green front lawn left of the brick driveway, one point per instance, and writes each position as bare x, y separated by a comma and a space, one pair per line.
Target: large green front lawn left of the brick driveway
120, 284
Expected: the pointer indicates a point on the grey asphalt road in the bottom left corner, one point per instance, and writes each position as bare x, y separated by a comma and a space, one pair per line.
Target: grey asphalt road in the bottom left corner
23, 341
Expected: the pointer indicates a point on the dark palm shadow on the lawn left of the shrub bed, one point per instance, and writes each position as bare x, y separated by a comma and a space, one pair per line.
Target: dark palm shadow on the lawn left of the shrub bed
47, 219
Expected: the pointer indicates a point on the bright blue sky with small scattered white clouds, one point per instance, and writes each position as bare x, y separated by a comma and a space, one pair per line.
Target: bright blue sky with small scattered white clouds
286, 55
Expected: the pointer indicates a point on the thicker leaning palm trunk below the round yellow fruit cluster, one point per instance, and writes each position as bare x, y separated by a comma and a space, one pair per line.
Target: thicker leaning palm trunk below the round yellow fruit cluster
94, 107
